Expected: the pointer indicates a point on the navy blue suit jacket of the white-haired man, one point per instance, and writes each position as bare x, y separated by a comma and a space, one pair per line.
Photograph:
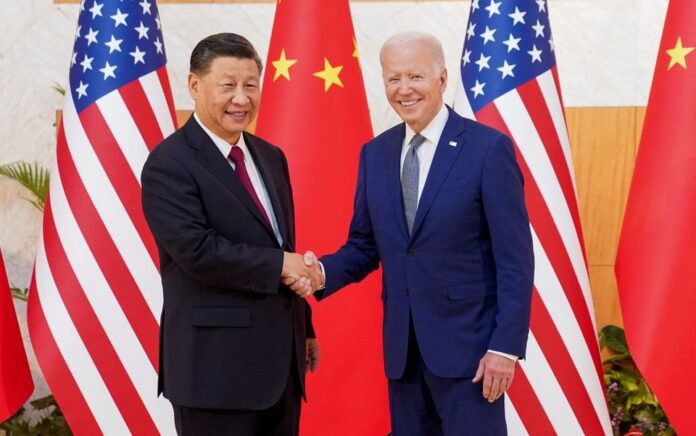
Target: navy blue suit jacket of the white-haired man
465, 273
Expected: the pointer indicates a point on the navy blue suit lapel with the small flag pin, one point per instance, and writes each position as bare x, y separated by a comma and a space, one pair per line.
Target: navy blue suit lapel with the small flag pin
445, 155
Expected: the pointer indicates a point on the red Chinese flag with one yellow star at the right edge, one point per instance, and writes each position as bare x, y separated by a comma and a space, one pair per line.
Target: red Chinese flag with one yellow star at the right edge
656, 261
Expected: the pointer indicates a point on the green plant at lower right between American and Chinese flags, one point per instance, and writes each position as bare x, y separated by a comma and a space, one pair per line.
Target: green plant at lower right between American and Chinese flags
632, 405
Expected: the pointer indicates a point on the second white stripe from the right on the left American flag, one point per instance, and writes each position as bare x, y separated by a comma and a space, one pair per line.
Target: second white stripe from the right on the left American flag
124, 130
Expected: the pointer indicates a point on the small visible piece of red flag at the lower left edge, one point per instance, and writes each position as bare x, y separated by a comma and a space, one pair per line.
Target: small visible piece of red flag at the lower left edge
15, 379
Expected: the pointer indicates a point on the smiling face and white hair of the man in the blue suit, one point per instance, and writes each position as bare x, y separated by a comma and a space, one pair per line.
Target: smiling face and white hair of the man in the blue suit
414, 81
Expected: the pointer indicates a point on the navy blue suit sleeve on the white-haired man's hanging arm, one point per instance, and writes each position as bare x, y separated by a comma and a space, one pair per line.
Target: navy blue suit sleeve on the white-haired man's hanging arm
508, 223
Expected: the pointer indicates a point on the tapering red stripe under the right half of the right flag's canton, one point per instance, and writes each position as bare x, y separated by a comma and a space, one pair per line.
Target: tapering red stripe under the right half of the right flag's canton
536, 106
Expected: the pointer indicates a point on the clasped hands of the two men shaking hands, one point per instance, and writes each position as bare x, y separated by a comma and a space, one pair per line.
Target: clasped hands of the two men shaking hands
302, 274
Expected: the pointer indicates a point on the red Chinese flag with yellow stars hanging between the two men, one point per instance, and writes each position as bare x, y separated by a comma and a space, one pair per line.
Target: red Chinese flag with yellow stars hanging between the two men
313, 106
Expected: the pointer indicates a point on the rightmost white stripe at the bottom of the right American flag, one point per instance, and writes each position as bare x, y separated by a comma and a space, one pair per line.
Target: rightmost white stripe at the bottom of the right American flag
561, 313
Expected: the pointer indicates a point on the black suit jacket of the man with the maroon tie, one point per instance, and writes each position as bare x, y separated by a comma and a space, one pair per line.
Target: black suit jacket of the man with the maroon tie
228, 329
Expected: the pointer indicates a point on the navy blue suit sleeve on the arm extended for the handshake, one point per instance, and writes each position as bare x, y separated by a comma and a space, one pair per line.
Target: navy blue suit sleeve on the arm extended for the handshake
359, 255
